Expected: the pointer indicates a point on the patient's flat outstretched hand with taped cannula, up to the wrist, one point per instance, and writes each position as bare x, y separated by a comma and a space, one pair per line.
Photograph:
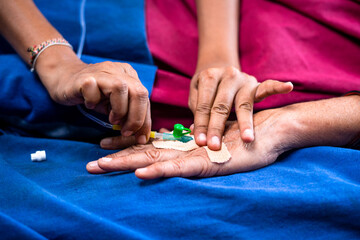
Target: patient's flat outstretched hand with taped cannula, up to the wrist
150, 162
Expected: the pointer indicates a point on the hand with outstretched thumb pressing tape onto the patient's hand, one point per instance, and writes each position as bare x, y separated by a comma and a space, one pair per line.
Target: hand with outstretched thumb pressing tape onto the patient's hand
213, 93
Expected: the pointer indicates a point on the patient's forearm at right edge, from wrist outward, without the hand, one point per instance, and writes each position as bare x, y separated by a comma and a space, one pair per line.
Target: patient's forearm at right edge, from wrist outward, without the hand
332, 122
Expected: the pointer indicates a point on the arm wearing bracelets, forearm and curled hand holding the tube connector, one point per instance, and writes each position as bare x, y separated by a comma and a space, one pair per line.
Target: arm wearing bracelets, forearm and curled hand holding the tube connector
110, 88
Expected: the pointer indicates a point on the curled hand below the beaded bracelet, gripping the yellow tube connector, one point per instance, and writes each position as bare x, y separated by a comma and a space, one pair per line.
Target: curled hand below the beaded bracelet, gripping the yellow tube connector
111, 88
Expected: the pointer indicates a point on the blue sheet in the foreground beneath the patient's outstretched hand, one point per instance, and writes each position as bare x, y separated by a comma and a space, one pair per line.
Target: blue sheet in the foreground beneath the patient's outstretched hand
312, 193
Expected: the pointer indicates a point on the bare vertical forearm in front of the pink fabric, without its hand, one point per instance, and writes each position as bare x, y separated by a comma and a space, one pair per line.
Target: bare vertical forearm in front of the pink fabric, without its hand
218, 23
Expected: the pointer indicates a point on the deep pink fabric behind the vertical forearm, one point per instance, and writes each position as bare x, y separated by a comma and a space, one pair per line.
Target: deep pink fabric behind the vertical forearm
313, 43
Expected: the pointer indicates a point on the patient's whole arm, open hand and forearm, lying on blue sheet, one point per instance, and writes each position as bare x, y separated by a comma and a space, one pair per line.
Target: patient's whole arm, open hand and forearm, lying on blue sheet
332, 122
